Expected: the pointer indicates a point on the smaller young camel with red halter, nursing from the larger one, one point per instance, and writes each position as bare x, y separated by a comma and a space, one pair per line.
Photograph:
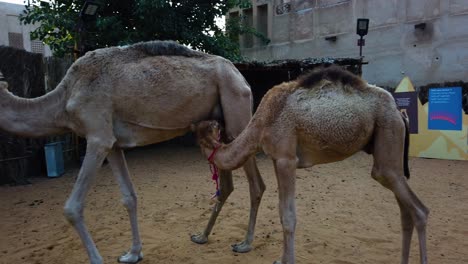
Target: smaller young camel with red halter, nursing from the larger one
325, 116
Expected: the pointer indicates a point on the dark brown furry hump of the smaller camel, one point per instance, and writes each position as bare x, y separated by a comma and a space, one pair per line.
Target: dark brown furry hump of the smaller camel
331, 73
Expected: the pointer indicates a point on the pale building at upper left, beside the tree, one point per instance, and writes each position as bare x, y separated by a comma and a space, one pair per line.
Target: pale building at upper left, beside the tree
14, 34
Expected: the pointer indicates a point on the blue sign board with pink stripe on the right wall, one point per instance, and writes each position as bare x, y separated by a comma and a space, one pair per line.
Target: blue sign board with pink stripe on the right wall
445, 108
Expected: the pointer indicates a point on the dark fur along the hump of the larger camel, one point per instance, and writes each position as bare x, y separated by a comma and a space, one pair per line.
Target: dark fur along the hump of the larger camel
165, 48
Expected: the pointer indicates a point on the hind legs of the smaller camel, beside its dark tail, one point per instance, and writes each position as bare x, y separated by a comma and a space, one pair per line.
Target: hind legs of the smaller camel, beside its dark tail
388, 170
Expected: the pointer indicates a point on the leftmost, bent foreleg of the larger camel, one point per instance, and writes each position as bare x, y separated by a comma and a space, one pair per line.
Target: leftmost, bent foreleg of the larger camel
96, 151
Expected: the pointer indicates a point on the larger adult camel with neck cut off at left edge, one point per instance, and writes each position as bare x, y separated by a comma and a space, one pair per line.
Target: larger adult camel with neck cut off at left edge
124, 97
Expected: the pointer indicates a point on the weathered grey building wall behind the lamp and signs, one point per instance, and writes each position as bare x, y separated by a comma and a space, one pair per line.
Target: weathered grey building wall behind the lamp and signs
394, 47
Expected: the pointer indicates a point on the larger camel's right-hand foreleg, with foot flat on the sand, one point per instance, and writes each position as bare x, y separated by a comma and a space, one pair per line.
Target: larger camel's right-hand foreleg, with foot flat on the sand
118, 165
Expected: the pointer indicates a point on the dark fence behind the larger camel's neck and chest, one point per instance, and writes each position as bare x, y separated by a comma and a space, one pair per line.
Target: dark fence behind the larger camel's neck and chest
26, 74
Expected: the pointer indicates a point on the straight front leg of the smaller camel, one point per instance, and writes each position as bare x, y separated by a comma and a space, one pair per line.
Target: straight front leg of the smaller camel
285, 170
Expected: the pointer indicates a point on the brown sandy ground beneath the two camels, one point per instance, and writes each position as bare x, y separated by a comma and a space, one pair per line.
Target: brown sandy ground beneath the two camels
344, 217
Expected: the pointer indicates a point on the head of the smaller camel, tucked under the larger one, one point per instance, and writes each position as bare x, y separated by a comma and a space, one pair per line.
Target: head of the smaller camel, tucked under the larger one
207, 133
